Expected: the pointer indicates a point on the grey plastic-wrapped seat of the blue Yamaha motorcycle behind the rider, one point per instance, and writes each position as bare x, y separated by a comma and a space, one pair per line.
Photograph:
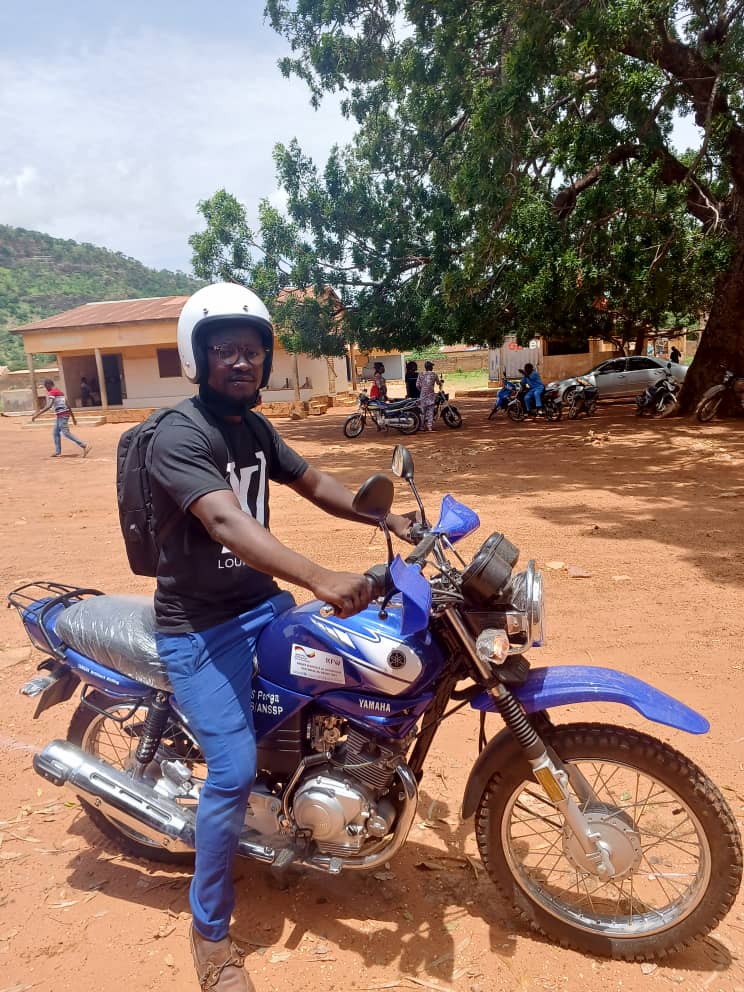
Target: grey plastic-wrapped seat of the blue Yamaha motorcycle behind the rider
119, 633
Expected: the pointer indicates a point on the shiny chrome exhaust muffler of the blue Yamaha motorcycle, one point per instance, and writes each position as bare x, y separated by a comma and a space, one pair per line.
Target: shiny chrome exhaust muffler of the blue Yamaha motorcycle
133, 804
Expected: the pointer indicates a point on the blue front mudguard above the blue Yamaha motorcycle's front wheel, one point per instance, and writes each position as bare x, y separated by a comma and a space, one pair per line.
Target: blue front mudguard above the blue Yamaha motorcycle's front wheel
567, 684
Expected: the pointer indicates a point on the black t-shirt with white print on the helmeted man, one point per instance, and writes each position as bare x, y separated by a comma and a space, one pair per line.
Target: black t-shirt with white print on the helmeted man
200, 583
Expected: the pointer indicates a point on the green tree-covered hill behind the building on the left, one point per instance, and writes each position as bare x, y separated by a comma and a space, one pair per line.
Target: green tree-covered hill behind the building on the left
41, 276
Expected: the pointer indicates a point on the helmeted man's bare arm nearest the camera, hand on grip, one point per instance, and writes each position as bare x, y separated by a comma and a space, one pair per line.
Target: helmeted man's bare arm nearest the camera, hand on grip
227, 524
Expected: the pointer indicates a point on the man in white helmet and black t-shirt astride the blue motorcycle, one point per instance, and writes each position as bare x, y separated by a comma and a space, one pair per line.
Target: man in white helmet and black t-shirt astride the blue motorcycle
215, 581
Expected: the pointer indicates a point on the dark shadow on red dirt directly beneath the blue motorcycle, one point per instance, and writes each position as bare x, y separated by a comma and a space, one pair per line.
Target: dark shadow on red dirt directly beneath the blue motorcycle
416, 916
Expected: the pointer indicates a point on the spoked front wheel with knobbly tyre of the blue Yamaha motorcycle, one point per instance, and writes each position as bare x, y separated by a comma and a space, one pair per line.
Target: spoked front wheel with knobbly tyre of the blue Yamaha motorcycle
672, 841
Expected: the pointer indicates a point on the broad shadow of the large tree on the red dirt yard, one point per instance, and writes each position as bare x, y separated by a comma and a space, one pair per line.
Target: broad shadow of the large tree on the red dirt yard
675, 482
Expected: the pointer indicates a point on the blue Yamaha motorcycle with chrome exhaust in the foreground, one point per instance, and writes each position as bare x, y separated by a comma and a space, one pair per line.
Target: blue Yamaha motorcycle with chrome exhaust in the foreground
603, 838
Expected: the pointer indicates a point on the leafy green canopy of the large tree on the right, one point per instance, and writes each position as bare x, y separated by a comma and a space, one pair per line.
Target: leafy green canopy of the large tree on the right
513, 168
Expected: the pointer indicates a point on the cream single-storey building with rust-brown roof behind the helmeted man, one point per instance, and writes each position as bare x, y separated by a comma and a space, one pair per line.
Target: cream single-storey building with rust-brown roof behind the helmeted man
126, 350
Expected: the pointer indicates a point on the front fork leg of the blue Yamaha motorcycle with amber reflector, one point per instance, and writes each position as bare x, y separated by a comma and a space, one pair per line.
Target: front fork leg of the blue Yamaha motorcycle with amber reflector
554, 780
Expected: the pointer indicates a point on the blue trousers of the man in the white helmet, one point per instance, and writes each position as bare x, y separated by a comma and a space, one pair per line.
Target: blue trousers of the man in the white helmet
211, 672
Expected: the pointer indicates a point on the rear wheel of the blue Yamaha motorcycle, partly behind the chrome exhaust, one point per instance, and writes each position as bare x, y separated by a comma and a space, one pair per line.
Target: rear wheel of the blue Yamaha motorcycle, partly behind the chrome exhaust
106, 735
